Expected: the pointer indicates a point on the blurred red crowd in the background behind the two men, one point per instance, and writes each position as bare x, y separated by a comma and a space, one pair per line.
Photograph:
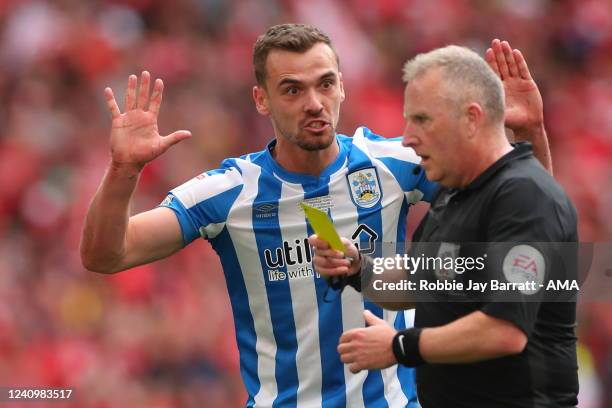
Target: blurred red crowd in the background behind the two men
162, 335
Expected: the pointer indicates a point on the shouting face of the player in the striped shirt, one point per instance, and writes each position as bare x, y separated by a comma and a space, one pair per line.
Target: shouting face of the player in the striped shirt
302, 96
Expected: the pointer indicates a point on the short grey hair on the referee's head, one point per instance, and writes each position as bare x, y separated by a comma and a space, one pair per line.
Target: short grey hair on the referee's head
466, 74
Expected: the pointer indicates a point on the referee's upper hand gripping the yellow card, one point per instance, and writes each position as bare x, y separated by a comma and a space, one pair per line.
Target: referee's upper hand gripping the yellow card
329, 262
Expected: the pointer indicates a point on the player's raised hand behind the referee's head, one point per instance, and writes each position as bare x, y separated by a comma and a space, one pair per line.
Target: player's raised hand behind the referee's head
524, 107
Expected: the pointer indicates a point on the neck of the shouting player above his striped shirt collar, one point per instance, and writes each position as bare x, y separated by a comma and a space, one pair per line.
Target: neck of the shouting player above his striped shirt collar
297, 160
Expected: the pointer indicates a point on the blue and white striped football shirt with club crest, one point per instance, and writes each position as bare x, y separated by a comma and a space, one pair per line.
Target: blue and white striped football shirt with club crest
286, 333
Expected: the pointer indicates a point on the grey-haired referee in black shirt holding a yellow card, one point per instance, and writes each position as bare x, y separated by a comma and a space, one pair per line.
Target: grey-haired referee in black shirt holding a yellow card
482, 351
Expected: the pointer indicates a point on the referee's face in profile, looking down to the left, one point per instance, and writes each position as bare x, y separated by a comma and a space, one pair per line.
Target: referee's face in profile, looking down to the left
432, 128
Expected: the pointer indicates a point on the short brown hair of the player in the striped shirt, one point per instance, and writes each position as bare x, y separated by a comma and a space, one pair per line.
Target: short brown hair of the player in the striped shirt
289, 37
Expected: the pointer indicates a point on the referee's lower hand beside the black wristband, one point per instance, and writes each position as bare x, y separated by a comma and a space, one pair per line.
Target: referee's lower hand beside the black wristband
368, 348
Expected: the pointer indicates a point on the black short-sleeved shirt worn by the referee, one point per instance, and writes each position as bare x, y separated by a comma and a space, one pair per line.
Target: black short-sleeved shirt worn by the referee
513, 201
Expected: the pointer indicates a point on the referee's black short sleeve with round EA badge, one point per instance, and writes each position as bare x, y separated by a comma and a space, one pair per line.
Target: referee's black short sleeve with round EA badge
521, 230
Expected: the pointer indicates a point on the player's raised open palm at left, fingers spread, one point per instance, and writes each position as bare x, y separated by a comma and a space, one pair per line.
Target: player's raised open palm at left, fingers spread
135, 139
